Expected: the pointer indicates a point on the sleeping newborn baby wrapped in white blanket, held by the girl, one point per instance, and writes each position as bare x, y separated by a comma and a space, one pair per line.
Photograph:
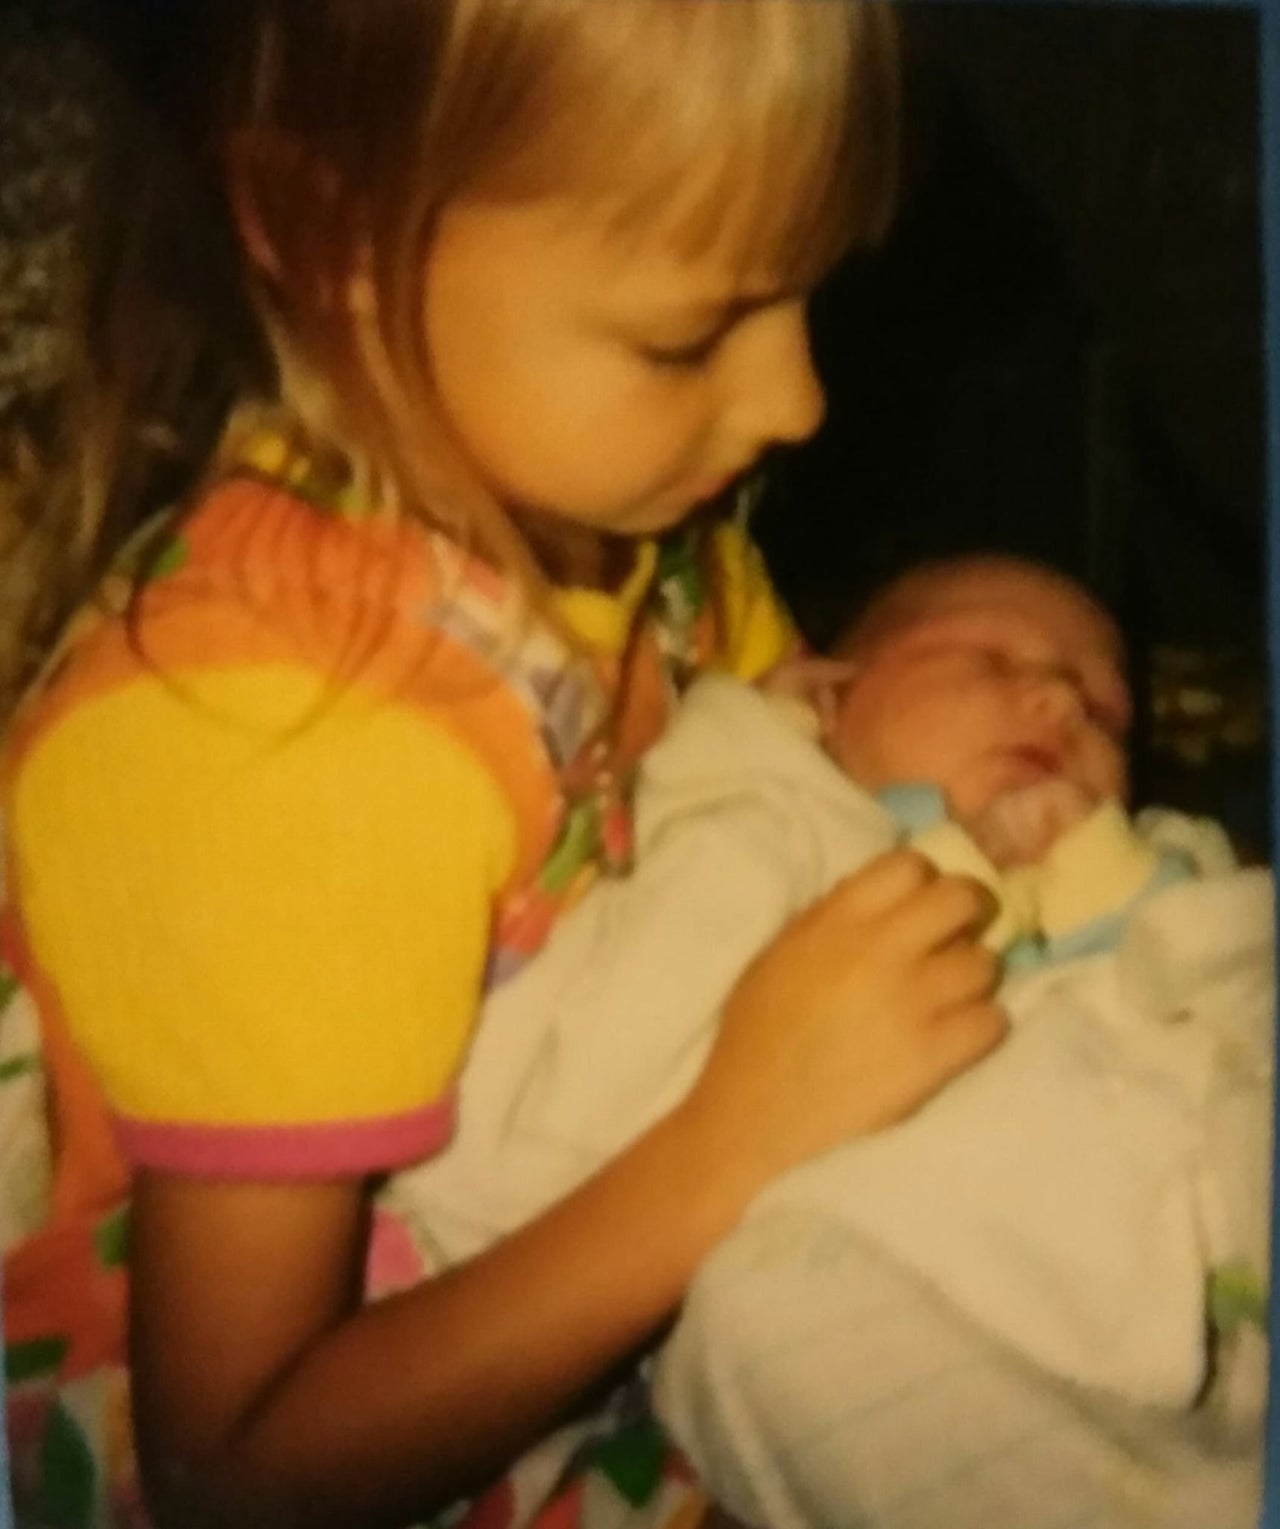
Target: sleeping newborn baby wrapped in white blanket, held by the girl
1047, 1282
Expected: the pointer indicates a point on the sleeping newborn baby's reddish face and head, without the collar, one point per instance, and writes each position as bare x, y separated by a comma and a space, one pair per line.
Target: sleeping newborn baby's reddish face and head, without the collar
1005, 689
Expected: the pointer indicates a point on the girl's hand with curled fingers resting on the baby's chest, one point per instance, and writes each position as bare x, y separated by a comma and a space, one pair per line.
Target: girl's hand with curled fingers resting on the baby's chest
860, 1011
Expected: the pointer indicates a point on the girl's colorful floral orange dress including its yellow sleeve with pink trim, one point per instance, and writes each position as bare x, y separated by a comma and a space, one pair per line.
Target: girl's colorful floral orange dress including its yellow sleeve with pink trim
333, 675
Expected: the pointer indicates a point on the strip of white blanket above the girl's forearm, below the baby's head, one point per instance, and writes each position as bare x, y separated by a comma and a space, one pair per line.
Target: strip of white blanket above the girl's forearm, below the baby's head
739, 826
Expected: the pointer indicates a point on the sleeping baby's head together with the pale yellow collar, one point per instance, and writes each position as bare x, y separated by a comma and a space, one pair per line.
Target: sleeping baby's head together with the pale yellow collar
984, 701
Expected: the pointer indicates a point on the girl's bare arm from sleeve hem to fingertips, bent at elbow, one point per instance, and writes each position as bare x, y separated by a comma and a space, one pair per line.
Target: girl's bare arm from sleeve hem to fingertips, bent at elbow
267, 1394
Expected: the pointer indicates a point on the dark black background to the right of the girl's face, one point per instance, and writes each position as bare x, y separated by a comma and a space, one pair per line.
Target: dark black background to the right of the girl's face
1059, 354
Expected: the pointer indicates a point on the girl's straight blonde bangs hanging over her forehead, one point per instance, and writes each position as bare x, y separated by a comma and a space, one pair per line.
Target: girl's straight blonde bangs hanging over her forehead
776, 152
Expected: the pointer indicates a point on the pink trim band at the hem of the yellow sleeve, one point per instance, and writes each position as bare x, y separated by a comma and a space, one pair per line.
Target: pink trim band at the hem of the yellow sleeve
290, 1152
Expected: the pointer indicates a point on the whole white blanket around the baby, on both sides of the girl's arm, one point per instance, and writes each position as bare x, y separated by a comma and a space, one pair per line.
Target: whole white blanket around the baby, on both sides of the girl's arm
1027, 1259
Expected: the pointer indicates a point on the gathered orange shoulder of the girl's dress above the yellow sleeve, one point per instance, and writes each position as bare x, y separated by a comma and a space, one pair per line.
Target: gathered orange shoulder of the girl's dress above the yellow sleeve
258, 577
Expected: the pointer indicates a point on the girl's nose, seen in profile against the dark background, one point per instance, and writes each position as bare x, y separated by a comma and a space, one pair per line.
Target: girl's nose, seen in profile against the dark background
775, 394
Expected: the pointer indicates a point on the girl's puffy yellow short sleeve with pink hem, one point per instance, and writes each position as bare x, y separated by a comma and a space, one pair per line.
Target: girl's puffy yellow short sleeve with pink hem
268, 944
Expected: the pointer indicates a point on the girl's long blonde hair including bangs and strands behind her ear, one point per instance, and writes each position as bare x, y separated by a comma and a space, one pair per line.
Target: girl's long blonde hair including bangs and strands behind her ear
764, 131
